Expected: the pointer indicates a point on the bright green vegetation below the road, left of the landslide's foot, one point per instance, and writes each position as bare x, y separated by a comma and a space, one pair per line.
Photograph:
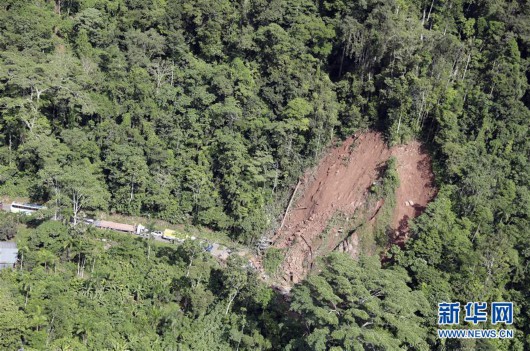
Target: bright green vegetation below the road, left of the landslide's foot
76, 290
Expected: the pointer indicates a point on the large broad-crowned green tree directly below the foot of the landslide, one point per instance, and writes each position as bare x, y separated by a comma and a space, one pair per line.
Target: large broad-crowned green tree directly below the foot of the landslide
358, 305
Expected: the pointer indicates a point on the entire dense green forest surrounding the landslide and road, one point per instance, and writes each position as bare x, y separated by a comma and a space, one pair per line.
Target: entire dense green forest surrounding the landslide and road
205, 113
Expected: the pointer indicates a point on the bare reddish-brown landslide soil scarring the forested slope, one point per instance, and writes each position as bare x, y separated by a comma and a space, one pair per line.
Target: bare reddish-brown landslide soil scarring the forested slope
341, 184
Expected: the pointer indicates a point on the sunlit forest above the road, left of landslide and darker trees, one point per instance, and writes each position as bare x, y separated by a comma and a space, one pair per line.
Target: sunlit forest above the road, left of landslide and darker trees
135, 92
